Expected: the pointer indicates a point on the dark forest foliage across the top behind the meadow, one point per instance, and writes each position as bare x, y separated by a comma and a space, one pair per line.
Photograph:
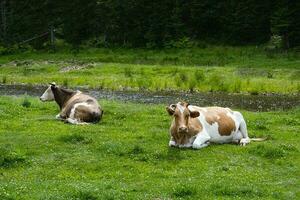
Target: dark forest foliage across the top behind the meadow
167, 23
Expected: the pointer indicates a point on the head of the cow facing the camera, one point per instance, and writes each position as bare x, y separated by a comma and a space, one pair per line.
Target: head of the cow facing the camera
181, 115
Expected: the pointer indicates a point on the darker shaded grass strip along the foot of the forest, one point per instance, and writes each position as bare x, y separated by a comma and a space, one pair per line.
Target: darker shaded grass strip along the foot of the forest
247, 56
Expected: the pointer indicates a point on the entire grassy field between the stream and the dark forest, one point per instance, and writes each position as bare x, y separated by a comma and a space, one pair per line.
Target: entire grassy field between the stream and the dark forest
222, 69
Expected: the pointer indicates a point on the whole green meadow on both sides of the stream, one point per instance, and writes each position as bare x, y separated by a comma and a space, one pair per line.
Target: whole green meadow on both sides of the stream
126, 155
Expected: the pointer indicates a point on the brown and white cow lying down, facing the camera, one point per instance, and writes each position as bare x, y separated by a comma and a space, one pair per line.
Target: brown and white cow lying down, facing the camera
196, 127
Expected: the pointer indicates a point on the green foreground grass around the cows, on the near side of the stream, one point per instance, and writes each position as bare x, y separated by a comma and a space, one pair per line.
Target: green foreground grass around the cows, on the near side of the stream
126, 156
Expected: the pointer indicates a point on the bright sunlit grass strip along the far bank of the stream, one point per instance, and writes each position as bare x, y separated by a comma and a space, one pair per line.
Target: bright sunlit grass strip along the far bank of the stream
116, 76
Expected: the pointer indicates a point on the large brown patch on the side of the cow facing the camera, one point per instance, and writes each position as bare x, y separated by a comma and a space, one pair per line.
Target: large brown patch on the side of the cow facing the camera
219, 115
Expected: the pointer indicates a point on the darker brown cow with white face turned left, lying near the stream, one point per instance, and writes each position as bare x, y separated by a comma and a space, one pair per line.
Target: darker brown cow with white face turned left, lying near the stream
75, 107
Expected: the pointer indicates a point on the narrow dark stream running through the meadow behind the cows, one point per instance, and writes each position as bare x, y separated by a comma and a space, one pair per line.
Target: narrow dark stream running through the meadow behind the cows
261, 102
